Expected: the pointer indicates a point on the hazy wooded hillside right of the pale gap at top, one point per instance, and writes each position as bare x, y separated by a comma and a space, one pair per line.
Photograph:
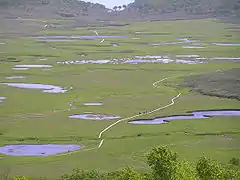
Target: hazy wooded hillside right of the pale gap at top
219, 8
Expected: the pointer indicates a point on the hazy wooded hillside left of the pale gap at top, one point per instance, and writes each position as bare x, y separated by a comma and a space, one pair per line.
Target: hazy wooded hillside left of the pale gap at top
50, 8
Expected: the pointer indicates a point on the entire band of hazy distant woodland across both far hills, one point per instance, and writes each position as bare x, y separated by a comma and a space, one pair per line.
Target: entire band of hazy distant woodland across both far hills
158, 8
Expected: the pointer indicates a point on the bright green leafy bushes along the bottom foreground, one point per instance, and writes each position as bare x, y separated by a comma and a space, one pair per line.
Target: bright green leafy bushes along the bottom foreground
164, 165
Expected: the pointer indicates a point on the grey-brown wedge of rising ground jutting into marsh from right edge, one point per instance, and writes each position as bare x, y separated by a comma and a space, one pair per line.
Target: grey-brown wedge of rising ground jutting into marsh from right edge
220, 84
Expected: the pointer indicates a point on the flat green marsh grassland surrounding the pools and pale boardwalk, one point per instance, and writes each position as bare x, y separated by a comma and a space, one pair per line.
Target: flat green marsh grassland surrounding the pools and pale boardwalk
30, 116
